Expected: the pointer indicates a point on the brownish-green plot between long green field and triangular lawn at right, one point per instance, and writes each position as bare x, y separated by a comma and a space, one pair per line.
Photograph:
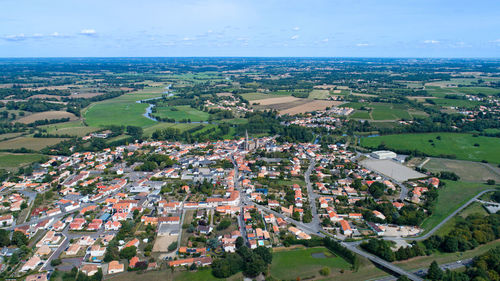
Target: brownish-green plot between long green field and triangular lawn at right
466, 170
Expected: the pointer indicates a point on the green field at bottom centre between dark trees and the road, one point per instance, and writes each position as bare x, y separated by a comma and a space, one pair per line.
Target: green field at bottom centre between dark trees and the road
296, 263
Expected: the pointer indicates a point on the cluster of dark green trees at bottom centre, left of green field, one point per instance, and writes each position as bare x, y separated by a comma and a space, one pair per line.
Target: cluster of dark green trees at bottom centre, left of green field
251, 263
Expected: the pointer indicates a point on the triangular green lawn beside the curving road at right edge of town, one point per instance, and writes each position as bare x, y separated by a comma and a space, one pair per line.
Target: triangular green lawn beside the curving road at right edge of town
452, 196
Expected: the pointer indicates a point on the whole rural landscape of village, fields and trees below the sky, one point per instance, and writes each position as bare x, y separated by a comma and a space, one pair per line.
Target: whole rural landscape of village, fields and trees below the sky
253, 170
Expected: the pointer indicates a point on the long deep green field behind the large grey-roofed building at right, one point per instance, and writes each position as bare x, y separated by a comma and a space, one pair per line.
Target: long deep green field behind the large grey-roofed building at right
460, 145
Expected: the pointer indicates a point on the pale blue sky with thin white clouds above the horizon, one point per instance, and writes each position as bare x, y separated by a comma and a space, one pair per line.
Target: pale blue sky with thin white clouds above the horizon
354, 28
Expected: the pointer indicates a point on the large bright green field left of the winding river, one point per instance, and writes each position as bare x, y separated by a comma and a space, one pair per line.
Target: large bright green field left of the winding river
122, 110
